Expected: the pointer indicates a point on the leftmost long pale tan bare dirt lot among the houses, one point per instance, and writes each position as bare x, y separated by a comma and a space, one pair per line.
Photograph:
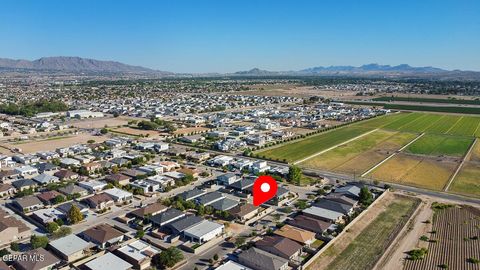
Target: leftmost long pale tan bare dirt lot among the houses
53, 143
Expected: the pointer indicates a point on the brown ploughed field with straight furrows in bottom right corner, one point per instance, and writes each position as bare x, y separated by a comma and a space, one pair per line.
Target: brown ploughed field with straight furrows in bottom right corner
453, 243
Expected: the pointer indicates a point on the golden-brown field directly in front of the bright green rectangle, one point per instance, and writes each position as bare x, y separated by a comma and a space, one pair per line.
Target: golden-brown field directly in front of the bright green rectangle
416, 171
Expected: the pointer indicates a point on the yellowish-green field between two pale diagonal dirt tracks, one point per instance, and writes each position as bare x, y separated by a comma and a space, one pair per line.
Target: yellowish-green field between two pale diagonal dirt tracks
362, 154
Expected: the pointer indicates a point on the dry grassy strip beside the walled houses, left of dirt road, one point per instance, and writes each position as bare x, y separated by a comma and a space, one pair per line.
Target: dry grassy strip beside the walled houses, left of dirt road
365, 250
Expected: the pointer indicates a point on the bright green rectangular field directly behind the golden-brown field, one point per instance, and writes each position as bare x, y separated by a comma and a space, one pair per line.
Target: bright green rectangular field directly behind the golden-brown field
438, 145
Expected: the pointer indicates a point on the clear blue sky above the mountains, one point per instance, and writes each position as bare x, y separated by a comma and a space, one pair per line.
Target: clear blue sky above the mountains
231, 35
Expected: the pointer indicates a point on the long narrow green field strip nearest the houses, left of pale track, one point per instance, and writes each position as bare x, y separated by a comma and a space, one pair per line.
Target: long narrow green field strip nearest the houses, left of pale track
314, 144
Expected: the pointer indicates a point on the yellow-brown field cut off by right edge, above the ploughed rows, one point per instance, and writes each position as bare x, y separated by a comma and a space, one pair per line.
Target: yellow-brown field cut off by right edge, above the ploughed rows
467, 181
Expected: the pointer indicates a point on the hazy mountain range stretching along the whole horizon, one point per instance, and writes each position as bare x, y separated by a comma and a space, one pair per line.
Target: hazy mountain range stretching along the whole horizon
84, 65
